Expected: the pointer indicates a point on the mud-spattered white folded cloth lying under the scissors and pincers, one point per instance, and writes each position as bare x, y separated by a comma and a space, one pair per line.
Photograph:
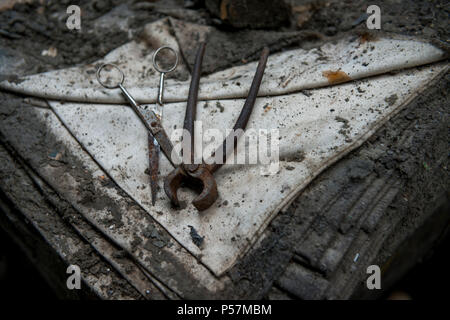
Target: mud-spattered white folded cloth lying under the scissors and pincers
319, 119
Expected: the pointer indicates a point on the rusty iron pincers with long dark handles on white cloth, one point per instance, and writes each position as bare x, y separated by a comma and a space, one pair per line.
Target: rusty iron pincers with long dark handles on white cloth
201, 174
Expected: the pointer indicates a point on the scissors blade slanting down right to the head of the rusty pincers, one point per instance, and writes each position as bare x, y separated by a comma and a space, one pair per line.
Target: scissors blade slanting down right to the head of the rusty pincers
153, 124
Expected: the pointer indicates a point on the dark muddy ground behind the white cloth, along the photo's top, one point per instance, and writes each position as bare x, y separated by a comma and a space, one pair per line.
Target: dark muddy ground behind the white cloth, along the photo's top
45, 25
